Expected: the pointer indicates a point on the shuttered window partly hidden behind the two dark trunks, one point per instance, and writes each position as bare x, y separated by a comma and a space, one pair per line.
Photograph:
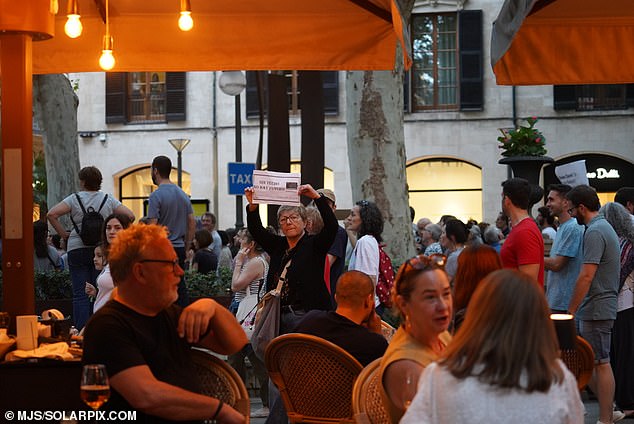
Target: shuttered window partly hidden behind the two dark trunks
330, 86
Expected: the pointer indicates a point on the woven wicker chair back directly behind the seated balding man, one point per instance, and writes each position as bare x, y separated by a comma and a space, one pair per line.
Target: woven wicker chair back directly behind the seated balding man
314, 376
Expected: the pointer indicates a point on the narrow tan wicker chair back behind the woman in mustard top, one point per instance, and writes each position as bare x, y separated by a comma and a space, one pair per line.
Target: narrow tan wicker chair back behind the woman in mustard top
367, 405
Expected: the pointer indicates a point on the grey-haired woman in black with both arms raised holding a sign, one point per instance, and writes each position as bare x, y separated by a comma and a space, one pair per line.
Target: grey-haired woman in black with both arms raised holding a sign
296, 257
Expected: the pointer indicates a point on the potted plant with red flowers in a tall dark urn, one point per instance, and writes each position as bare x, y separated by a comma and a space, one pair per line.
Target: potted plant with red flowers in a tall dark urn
524, 151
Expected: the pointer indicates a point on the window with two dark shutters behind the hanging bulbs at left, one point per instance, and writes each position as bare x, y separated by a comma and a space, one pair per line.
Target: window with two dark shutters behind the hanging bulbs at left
145, 97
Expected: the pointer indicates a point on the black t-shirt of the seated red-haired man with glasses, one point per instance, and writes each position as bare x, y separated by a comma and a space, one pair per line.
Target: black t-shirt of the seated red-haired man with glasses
121, 338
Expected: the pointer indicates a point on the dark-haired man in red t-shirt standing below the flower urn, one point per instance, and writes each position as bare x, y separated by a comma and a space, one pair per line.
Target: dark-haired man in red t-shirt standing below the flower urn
523, 249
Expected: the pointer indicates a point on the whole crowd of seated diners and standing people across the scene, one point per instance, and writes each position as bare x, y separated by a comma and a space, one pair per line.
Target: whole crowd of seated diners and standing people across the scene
475, 342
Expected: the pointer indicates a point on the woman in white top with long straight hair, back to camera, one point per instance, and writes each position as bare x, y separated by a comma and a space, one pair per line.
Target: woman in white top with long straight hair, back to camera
503, 364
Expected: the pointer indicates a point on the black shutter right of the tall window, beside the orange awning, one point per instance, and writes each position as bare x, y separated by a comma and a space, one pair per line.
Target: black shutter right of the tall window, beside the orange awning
470, 47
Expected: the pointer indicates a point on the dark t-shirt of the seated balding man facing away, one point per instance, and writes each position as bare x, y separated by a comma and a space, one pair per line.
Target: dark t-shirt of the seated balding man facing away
358, 341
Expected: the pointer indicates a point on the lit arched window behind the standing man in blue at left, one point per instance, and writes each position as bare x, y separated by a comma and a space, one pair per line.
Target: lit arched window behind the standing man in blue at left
135, 187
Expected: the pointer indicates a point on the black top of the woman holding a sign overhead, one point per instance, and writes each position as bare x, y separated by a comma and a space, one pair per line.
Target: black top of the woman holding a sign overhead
305, 276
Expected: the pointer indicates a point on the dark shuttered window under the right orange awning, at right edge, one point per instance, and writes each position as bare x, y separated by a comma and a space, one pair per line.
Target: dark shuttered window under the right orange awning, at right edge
593, 97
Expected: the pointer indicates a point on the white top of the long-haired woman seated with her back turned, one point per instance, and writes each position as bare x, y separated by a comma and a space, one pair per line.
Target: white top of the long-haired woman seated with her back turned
442, 398
